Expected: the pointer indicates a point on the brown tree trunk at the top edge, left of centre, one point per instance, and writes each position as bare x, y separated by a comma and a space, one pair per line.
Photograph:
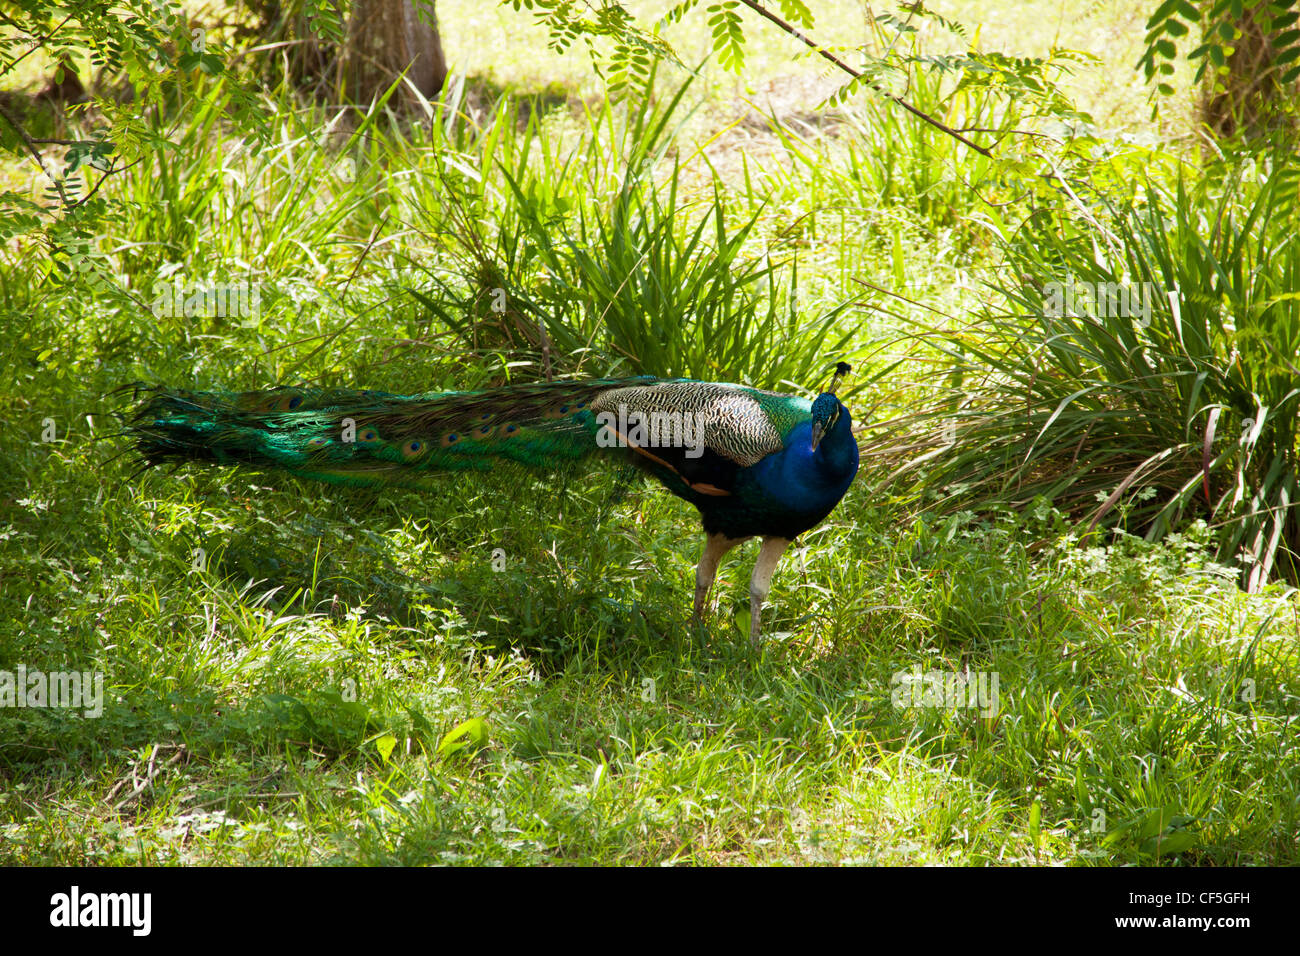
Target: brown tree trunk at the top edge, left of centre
388, 37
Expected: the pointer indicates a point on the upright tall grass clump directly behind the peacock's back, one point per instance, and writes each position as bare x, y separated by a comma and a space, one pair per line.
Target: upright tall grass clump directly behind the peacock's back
556, 249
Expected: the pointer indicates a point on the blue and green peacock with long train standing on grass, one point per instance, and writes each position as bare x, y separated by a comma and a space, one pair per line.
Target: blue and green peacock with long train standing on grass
755, 464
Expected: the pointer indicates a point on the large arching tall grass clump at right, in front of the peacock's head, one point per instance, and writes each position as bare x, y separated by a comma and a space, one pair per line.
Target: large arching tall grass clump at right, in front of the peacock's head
1142, 370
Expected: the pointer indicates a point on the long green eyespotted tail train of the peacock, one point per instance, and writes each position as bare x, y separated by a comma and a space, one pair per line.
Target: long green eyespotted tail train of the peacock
372, 438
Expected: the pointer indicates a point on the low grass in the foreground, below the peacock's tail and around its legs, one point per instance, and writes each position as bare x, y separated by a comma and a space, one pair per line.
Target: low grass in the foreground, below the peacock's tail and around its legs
614, 736
